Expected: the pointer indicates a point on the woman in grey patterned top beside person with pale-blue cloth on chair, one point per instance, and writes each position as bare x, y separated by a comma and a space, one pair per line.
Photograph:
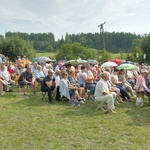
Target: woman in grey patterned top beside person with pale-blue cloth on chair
73, 81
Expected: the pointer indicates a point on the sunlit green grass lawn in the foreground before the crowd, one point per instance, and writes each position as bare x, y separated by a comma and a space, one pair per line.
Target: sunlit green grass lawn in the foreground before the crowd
32, 124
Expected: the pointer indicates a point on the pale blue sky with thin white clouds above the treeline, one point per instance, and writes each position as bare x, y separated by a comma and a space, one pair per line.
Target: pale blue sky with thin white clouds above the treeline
74, 16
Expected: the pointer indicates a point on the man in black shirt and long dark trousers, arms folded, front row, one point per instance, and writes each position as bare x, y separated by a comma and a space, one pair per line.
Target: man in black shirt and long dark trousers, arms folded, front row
49, 84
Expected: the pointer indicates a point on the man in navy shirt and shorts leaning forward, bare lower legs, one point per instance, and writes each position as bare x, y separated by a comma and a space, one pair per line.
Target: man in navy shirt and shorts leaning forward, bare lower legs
27, 78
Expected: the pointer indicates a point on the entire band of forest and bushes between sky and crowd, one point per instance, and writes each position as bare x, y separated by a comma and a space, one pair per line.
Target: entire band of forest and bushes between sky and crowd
72, 46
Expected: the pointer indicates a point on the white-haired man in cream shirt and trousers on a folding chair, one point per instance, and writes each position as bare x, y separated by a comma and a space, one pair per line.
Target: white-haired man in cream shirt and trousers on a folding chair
103, 94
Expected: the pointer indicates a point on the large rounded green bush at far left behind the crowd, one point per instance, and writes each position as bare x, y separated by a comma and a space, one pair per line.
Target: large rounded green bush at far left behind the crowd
15, 46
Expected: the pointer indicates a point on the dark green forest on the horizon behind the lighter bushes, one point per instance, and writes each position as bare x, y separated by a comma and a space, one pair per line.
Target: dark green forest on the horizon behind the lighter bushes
46, 41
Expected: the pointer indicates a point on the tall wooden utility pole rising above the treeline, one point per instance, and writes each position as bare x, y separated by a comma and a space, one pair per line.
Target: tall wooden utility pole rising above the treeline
101, 34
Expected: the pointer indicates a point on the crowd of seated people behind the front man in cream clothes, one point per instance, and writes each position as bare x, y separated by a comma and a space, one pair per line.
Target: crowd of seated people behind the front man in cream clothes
80, 79
